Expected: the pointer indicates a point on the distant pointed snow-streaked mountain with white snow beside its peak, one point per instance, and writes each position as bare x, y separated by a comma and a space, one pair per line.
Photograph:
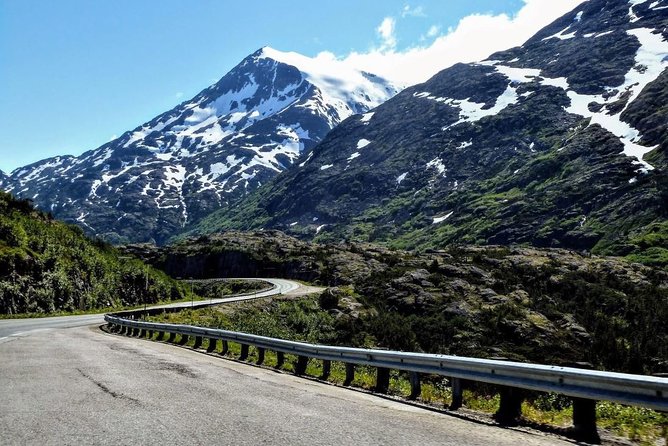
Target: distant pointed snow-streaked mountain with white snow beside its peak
206, 152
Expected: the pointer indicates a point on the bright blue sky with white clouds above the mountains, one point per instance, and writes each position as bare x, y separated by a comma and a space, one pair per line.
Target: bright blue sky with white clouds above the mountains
75, 73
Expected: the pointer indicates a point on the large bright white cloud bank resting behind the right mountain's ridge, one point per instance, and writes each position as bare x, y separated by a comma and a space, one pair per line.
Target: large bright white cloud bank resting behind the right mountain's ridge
474, 38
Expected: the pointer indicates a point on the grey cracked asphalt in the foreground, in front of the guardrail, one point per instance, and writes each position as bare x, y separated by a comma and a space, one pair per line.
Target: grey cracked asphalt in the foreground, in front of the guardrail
83, 386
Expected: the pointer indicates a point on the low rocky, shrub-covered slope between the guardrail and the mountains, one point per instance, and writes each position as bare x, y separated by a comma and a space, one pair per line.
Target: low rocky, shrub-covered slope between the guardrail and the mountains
544, 305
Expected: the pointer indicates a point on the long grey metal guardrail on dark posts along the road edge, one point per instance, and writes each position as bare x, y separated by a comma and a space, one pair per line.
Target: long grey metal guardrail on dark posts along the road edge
584, 386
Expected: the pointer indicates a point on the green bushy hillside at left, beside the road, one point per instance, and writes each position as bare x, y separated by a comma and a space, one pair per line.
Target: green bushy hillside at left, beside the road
47, 266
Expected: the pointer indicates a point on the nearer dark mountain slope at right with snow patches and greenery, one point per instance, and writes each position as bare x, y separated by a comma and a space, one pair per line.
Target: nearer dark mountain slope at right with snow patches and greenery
559, 142
